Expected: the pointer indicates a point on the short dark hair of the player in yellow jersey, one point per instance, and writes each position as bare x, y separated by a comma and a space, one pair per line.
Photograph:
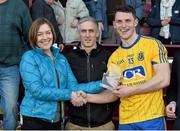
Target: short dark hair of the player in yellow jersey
126, 9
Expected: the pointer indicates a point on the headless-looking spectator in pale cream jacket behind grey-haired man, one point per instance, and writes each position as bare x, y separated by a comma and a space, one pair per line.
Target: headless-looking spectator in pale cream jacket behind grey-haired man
67, 13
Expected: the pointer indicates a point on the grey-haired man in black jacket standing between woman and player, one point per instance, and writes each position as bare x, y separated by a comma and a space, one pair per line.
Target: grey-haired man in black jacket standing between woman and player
88, 63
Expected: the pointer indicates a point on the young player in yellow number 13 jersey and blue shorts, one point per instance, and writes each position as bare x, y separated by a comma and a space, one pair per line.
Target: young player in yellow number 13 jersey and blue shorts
146, 72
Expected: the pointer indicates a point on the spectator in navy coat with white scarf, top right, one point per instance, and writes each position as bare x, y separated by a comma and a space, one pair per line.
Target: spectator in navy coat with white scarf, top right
164, 19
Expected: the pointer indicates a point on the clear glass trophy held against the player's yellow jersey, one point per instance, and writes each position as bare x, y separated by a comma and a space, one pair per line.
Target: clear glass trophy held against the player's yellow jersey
112, 77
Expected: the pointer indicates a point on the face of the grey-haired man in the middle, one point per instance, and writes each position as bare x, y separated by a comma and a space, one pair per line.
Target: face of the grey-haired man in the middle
88, 34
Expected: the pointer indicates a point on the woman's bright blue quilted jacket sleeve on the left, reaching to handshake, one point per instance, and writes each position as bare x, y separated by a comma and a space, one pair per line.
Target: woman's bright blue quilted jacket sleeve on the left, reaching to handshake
33, 84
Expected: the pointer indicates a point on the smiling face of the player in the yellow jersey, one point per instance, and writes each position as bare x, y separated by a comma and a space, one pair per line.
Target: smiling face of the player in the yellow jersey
125, 25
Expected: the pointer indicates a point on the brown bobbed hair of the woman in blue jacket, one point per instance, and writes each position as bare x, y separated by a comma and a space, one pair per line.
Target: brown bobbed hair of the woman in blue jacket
34, 30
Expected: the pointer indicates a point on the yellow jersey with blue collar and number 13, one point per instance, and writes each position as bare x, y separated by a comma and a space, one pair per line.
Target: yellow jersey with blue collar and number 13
136, 63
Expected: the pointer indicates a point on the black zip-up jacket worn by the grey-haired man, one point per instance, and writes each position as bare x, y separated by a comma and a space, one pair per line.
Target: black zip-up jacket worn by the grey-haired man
88, 68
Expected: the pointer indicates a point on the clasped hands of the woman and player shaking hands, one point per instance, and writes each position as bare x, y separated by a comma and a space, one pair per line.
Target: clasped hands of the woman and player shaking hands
79, 98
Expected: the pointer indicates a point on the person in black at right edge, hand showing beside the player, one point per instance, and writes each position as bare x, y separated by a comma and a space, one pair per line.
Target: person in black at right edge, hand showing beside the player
173, 93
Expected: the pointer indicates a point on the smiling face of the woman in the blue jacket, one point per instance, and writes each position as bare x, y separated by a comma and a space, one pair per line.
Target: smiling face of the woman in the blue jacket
44, 37
